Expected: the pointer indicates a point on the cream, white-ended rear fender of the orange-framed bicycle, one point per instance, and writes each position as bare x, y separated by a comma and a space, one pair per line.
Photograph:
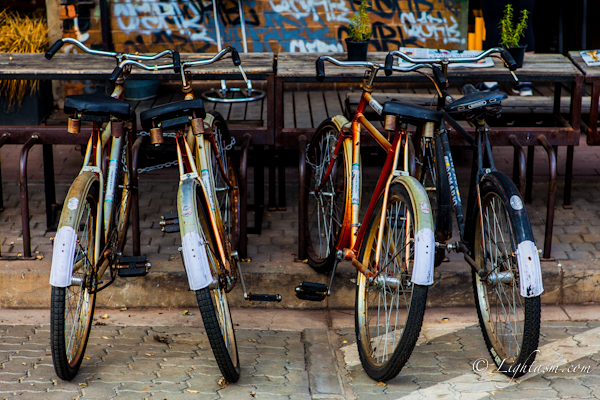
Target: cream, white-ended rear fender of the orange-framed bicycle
424, 234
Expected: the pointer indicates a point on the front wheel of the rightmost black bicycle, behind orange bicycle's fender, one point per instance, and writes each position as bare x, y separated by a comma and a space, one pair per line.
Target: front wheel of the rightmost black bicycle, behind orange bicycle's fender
431, 172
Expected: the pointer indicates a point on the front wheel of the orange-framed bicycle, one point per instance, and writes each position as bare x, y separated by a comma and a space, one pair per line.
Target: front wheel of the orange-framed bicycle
327, 209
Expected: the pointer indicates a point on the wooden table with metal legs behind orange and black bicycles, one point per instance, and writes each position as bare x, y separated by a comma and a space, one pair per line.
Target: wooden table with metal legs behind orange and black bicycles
554, 68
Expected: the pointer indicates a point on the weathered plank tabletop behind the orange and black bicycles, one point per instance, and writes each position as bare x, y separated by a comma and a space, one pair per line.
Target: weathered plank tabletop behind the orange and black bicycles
537, 67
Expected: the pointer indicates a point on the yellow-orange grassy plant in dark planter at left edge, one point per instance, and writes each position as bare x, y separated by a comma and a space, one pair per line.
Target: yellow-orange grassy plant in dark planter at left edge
23, 102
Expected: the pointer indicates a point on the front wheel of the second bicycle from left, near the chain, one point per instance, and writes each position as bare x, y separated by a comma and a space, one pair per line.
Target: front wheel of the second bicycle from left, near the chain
227, 198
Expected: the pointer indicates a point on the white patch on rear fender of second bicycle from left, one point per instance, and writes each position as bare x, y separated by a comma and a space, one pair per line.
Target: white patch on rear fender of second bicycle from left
196, 261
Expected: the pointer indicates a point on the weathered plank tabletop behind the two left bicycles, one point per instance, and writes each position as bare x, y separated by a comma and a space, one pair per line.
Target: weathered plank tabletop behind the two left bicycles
86, 66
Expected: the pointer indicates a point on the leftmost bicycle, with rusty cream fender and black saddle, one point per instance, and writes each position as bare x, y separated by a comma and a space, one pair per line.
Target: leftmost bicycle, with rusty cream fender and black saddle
93, 225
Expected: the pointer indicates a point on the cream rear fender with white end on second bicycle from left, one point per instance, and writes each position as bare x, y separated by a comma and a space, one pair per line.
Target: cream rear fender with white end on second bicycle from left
194, 252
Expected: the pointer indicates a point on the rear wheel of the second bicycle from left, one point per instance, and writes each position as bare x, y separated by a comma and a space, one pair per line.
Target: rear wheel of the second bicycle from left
214, 307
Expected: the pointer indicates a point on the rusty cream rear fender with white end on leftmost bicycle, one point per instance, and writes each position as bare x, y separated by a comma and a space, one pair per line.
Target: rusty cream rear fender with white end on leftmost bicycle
65, 240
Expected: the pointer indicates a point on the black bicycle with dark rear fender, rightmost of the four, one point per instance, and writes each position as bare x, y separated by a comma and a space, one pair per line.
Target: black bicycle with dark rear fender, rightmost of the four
495, 235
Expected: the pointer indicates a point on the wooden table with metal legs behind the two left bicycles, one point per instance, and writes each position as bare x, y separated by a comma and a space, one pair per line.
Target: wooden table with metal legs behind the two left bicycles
257, 66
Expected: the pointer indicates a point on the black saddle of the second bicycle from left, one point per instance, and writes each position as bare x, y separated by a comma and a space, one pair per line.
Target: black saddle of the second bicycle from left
172, 115
